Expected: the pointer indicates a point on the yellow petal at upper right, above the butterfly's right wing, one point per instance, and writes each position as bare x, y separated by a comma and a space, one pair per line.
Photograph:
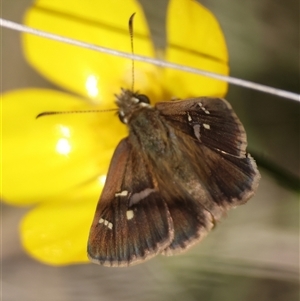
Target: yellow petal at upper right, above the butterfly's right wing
196, 40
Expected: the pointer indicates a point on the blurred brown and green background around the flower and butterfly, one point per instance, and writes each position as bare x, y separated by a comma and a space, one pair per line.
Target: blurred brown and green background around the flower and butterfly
251, 255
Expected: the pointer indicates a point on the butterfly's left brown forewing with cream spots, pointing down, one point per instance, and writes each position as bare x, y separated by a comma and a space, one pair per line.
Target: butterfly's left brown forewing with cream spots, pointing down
132, 222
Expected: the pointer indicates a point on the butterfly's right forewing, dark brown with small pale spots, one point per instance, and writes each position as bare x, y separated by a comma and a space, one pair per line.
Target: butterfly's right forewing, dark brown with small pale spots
209, 120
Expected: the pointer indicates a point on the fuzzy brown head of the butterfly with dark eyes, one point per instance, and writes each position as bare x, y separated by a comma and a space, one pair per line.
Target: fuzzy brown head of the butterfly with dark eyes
129, 102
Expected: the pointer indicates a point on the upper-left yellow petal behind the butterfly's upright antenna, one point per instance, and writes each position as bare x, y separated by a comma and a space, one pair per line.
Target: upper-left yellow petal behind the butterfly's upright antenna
89, 73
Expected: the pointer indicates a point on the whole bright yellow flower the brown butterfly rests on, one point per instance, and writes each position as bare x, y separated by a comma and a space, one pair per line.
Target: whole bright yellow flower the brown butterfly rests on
58, 163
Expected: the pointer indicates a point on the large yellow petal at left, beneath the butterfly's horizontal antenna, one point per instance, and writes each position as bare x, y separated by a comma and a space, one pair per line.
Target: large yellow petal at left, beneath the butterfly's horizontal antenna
56, 157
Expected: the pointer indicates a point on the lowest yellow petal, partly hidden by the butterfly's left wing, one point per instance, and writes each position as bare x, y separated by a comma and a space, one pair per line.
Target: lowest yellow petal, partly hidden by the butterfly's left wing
57, 233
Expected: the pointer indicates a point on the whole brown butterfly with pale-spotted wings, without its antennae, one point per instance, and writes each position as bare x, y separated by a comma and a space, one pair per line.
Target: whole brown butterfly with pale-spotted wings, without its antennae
182, 166
